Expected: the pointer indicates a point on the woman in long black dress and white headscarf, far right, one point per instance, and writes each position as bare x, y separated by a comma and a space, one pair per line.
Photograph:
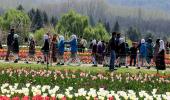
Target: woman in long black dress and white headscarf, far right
160, 58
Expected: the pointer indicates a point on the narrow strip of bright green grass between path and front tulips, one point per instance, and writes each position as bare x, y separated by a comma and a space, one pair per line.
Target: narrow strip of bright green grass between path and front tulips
77, 68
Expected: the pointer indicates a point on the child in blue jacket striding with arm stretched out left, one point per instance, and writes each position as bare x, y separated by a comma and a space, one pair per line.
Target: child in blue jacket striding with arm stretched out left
74, 49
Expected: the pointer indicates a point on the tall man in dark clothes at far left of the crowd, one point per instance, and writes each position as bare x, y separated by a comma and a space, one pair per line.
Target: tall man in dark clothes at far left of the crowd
10, 40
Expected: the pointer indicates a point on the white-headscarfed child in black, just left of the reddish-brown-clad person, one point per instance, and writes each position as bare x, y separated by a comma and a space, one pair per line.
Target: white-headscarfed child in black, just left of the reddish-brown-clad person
45, 49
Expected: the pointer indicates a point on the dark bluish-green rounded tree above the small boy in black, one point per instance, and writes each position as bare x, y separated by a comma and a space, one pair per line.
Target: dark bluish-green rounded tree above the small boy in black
133, 34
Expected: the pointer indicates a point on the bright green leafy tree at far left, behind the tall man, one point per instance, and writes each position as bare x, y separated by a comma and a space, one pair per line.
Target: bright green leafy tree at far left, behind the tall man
17, 19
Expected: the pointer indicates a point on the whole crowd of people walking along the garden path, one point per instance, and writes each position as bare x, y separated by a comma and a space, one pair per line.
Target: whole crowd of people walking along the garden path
113, 53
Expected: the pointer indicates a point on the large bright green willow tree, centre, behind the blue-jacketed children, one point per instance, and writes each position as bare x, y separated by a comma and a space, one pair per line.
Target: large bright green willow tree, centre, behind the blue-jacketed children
72, 23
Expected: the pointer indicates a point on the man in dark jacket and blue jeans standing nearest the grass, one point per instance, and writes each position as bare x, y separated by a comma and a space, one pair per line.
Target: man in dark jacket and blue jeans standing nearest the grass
112, 45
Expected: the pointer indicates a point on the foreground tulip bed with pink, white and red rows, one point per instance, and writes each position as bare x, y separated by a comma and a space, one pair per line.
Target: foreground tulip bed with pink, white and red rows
29, 84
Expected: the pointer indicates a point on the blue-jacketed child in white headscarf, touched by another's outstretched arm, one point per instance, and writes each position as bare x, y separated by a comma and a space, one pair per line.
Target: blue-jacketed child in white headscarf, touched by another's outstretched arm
61, 50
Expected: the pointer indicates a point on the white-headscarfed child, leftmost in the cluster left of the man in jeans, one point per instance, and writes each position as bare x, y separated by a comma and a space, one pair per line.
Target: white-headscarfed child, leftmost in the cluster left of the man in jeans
94, 51
